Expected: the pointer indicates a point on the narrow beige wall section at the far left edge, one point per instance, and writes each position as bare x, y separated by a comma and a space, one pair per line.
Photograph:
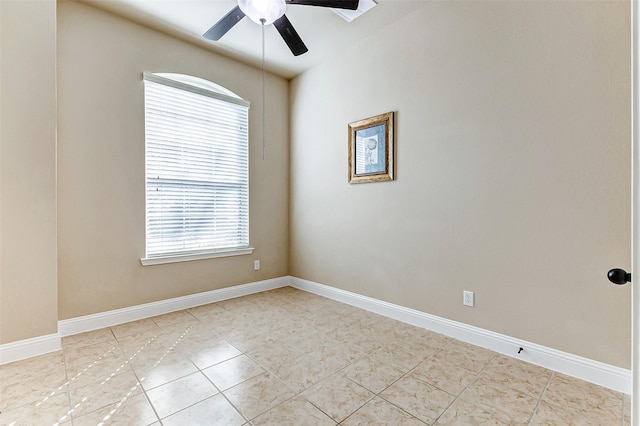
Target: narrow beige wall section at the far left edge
28, 283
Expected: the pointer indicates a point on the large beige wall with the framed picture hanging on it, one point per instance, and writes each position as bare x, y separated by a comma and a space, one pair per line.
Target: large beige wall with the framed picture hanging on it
513, 177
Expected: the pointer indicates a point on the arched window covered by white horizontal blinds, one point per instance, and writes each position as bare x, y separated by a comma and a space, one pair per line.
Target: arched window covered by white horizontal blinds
197, 170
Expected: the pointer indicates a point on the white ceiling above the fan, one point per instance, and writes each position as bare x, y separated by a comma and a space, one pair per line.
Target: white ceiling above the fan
322, 30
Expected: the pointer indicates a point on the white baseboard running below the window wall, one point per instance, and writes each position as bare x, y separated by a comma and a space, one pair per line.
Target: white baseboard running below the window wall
119, 316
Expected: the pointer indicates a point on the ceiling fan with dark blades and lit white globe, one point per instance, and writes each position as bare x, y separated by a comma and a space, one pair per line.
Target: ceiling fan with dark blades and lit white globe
265, 12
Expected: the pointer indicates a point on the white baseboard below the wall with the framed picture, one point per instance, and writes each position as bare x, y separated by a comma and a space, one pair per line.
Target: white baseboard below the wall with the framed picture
602, 374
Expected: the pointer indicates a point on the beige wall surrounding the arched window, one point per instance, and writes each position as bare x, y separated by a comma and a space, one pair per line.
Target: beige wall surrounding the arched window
101, 224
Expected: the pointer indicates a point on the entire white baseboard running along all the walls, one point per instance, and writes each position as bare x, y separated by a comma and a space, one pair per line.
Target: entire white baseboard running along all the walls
612, 377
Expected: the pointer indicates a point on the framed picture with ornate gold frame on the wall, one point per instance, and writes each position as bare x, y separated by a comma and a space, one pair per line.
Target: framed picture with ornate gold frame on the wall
371, 149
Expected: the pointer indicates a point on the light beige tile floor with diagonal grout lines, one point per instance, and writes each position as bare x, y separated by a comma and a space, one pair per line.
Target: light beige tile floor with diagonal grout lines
287, 357
